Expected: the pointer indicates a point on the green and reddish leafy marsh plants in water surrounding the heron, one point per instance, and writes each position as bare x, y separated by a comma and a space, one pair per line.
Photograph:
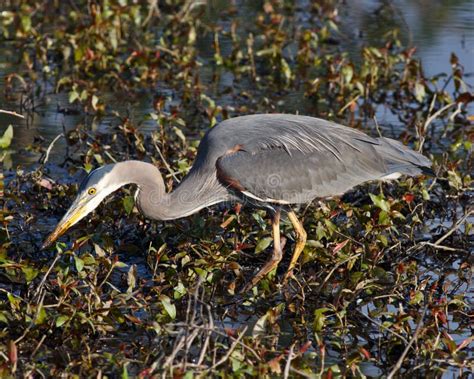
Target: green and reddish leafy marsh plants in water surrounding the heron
384, 286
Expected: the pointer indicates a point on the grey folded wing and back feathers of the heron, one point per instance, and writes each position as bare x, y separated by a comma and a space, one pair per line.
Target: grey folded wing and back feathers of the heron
294, 159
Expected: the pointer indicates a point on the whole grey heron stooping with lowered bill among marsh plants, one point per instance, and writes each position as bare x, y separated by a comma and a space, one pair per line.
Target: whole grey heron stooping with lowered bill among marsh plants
270, 160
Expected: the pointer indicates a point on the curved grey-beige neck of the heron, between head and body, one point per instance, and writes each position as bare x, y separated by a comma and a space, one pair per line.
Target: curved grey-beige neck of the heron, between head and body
196, 191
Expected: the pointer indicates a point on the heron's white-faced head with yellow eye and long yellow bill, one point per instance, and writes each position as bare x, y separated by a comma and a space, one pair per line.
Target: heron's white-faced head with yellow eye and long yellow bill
96, 187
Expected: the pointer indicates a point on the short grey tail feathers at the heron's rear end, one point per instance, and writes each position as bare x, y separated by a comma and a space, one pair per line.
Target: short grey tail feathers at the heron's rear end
401, 159
